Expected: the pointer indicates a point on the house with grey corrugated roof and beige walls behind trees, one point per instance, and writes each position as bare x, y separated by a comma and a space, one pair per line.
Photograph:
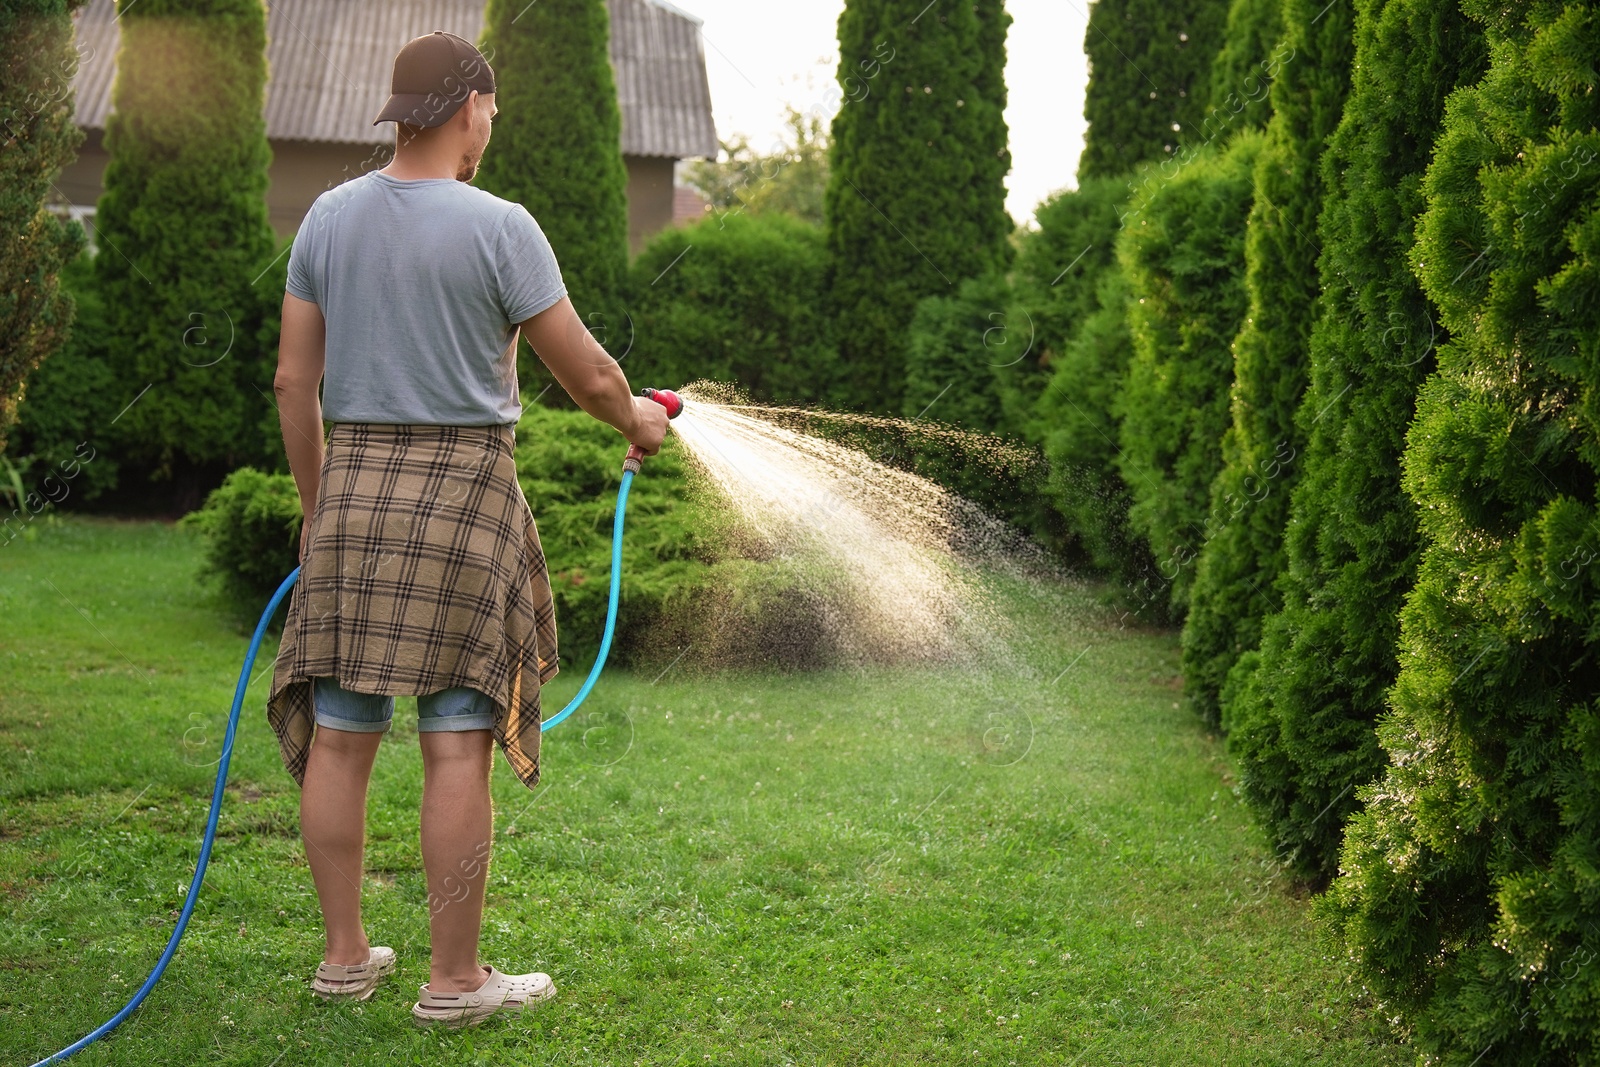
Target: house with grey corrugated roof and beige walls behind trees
329, 65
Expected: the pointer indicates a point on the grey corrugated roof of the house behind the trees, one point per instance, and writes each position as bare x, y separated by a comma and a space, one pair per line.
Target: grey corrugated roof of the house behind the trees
329, 65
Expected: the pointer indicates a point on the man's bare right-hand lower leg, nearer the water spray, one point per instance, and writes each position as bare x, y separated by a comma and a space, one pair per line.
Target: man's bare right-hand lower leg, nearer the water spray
458, 826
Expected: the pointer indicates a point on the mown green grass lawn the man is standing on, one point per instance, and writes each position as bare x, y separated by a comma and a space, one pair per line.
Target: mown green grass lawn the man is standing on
886, 868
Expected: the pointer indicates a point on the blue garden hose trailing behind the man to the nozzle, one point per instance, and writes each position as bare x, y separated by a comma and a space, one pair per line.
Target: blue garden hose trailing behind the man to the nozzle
228, 754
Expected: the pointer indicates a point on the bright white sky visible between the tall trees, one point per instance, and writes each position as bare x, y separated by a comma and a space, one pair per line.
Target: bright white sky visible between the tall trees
764, 55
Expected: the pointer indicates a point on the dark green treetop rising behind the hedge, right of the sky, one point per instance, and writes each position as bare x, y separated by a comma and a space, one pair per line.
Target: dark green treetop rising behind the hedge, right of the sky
1150, 73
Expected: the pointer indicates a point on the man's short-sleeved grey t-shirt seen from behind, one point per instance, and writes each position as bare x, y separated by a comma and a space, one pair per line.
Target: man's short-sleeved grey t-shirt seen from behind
422, 284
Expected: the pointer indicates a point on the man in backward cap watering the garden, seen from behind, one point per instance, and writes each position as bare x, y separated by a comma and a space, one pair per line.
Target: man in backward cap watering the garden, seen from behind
422, 565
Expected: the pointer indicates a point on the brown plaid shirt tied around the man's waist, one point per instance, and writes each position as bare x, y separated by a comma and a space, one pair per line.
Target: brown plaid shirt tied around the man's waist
423, 572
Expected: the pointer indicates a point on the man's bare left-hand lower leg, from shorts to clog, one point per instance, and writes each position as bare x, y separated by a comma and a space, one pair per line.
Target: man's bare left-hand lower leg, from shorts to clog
334, 826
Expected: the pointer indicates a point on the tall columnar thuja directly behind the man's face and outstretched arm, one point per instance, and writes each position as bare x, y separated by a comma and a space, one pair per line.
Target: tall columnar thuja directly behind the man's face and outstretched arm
558, 148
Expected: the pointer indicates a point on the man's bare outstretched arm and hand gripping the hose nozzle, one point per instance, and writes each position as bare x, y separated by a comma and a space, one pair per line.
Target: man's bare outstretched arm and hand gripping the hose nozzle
593, 378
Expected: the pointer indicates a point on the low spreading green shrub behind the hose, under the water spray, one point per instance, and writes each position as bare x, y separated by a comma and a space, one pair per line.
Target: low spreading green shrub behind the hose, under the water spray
695, 585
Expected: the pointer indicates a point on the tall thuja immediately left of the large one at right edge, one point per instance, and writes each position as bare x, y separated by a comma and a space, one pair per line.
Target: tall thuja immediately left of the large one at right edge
1302, 722
